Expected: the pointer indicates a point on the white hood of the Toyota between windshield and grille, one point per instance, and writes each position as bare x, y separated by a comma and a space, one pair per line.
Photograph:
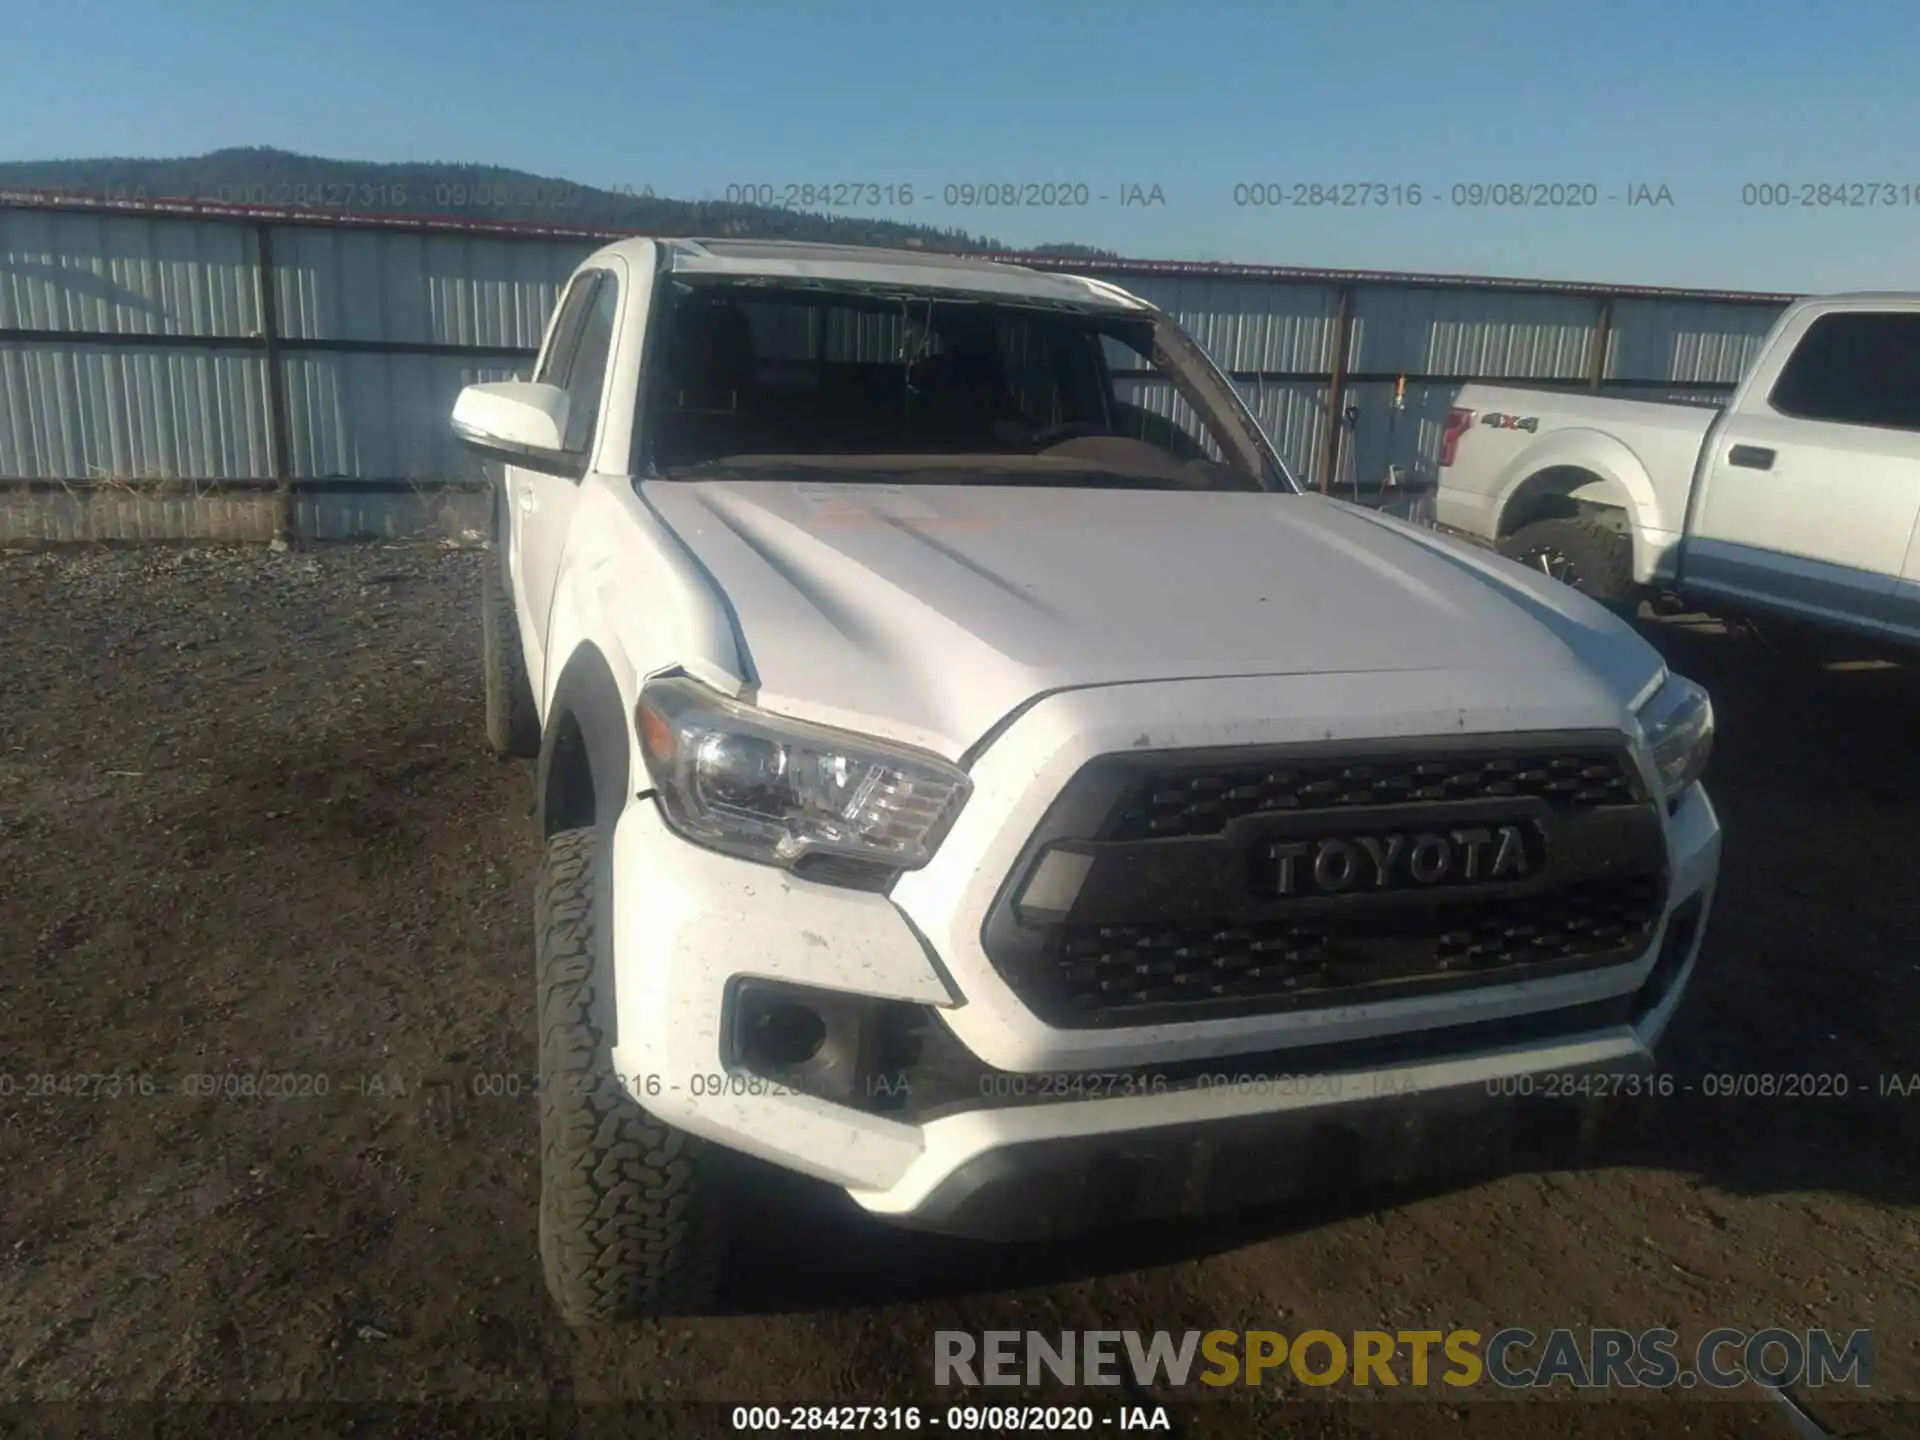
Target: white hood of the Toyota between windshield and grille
930, 613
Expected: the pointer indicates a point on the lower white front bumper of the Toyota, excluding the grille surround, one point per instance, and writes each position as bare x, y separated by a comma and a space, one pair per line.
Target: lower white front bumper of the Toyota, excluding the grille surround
690, 923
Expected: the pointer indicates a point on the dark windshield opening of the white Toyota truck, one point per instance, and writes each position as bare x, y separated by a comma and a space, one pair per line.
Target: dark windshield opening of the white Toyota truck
769, 381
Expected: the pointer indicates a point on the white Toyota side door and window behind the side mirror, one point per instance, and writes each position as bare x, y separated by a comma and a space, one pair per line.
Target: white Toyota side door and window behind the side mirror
542, 506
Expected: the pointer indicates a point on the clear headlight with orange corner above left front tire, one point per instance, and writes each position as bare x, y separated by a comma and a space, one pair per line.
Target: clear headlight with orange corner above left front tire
792, 794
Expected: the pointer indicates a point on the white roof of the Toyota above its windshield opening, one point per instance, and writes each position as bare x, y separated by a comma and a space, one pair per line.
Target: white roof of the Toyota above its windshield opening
919, 270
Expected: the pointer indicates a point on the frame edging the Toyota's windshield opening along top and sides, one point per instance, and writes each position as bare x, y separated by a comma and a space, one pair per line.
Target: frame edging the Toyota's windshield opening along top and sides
1178, 358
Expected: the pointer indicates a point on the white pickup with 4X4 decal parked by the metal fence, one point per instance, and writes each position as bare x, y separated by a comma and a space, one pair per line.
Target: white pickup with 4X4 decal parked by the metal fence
1800, 500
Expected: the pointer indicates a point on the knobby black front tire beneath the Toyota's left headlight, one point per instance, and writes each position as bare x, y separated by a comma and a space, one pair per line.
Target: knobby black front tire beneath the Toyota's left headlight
633, 1212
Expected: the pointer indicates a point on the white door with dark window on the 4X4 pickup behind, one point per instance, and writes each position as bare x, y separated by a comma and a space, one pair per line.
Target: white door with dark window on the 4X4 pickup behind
1812, 485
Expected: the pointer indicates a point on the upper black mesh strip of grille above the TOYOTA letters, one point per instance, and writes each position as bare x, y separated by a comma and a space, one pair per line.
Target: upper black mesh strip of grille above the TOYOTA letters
1201, 804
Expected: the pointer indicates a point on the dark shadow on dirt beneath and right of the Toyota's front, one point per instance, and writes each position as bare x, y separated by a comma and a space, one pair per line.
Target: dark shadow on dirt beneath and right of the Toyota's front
1812, 971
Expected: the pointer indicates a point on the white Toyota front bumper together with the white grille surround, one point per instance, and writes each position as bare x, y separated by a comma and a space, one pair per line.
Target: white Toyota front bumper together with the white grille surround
690, 926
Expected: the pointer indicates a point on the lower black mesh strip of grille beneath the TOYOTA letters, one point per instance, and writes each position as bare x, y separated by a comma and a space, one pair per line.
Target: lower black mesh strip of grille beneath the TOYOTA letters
1172, 963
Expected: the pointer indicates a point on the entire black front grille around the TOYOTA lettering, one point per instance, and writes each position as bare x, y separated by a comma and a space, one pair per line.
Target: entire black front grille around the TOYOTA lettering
1174, 915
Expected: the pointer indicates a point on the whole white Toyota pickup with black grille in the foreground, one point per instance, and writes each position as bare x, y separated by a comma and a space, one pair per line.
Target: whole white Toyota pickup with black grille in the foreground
972, 775
